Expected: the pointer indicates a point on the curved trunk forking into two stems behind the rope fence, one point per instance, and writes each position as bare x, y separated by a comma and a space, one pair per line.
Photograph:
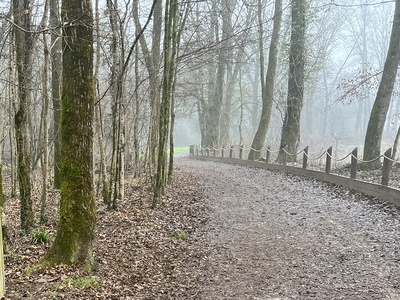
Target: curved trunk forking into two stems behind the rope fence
267, 84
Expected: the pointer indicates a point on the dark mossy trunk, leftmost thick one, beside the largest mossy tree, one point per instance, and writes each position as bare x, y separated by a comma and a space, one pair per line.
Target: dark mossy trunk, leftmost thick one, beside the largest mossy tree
23, 47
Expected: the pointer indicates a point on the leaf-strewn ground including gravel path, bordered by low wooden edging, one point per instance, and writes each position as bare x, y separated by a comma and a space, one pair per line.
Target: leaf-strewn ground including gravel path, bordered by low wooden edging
224, 232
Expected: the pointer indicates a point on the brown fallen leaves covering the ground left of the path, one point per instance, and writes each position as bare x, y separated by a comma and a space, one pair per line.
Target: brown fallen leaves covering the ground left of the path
142, 253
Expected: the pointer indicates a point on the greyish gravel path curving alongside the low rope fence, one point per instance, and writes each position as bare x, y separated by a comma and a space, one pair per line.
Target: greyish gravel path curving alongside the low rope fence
272, 236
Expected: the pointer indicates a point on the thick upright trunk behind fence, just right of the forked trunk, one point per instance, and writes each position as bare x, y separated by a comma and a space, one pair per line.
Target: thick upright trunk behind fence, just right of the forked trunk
291, 126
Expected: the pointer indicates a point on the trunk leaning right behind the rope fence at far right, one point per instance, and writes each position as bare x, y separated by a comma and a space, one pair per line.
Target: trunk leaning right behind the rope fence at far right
373, 137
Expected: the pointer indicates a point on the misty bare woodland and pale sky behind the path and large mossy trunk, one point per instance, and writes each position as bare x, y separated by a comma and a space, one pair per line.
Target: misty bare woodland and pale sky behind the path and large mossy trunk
249, 72
